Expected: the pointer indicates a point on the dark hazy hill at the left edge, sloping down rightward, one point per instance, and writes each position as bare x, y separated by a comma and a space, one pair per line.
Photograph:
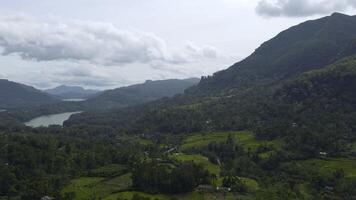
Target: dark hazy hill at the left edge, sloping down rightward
18, 95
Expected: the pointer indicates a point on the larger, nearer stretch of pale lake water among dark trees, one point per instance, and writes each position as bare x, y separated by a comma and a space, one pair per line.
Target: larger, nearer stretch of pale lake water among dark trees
47, 120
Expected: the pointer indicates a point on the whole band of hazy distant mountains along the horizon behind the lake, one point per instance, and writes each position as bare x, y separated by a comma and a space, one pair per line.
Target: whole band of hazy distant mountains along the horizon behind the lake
16, 95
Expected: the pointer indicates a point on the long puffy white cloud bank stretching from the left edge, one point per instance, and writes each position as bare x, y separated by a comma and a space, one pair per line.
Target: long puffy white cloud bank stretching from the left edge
95, 42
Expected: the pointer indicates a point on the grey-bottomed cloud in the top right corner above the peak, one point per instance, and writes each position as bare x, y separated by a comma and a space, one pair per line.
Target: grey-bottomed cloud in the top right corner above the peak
302, 8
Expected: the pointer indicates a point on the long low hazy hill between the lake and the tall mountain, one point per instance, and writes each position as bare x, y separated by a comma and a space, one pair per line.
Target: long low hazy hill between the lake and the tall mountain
141, 93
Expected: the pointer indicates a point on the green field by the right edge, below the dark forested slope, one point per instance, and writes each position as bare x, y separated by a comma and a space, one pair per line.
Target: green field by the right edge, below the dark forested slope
326, 167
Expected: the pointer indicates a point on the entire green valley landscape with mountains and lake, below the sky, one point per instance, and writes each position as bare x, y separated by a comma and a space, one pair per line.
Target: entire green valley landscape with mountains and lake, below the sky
277, 125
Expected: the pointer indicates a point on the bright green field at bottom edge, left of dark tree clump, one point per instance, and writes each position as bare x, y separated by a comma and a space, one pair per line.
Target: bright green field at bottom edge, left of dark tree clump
95, 187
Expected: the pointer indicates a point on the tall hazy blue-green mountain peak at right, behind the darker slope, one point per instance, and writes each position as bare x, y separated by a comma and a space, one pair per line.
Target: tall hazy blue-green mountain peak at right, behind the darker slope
307, 46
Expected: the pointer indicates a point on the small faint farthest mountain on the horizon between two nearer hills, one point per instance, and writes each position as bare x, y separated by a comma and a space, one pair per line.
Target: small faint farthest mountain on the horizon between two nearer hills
71, 92
